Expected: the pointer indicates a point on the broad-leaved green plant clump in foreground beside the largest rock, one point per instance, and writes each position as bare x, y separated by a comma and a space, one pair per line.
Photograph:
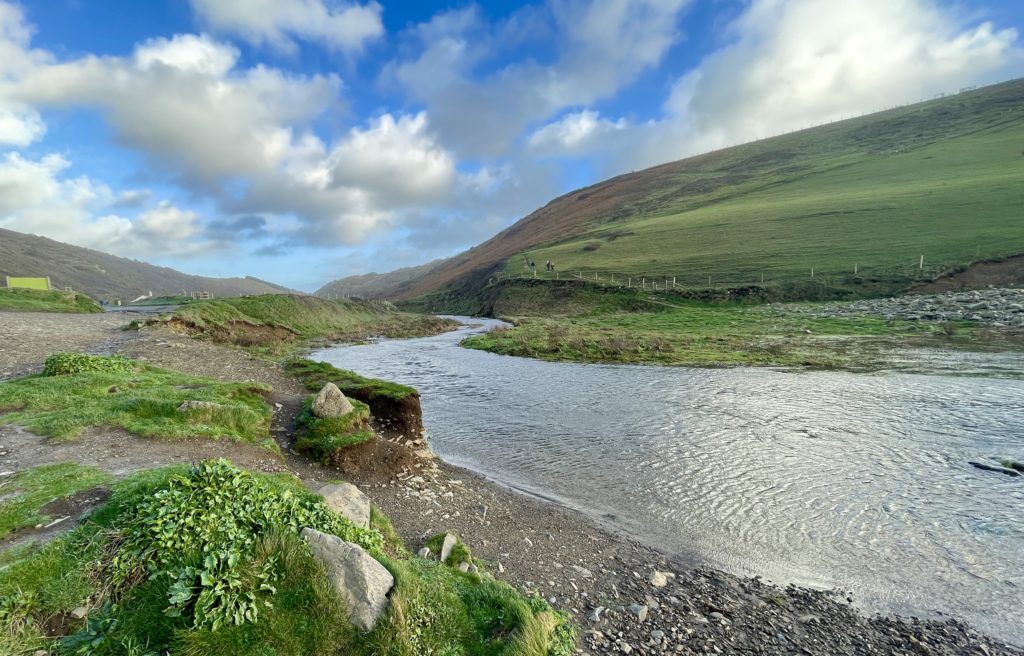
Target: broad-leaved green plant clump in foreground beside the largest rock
201, 532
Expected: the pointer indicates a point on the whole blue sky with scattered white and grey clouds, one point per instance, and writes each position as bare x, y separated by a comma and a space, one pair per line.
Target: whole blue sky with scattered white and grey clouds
306, 141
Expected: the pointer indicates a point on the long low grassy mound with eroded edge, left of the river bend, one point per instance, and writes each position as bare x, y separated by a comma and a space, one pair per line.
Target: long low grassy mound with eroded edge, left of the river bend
277, 320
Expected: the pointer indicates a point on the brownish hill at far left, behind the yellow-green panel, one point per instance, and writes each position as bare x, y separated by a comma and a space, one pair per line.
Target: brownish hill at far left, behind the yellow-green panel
107, 277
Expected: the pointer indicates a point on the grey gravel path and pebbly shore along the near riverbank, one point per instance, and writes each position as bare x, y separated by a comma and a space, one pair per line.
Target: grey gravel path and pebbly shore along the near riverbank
608, 582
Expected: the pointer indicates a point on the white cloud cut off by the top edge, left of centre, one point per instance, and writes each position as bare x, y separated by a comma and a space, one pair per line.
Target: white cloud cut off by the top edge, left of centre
344, 27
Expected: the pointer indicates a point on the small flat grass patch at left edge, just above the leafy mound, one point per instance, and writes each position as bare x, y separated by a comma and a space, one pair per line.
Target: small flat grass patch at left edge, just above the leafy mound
27, 493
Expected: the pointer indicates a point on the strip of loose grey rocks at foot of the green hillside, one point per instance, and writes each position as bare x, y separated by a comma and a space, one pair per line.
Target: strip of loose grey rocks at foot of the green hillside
996, 309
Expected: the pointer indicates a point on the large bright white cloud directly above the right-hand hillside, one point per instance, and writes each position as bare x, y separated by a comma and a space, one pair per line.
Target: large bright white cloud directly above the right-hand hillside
795, 63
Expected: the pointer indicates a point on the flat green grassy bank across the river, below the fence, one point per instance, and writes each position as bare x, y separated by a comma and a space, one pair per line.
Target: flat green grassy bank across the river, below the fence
688, 333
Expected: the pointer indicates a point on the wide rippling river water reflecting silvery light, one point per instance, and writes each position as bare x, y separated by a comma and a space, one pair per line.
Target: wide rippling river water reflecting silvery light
856, 482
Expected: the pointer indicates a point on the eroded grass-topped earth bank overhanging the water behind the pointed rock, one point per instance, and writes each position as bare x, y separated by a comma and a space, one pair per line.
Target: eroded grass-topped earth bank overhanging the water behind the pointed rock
396, 408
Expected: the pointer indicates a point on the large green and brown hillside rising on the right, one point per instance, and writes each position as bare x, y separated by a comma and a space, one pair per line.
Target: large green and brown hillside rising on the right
940, 180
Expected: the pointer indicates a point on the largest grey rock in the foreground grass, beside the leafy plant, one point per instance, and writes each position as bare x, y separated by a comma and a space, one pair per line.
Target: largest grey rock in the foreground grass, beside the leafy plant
362, 582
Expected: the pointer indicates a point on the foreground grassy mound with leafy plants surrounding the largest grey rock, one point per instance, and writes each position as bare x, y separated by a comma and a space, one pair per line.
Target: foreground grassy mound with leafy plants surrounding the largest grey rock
208, 561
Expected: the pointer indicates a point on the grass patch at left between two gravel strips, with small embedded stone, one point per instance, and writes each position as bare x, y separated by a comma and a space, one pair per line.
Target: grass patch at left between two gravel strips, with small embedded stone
77, 391
